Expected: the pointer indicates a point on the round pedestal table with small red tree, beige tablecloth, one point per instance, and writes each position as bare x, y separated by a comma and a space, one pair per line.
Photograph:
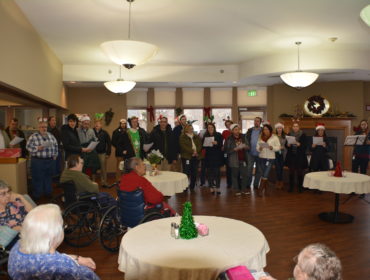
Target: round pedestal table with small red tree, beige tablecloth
351, 182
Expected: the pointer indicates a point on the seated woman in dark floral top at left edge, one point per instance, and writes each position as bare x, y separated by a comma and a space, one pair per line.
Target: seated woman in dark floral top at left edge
13, 208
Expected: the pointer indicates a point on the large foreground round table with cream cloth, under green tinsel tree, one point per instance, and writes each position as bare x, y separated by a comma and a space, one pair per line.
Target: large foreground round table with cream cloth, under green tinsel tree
149, 252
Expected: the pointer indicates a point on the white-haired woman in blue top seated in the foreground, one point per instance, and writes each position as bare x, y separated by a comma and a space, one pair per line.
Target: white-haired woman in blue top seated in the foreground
35, 255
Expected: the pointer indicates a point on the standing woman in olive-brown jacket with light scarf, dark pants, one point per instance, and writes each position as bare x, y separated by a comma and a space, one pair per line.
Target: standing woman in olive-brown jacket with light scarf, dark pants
190, 149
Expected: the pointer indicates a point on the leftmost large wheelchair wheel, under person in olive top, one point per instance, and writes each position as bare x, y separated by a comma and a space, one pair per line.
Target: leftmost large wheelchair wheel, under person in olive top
81, 223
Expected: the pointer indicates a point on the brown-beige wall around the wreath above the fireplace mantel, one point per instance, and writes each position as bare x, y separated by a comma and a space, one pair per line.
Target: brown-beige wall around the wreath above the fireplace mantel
343, 96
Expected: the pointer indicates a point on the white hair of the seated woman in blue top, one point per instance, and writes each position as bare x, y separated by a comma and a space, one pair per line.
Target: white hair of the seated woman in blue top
42, 230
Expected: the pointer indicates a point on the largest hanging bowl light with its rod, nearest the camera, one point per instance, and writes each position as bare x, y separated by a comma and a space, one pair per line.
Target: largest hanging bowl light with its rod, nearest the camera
129, 53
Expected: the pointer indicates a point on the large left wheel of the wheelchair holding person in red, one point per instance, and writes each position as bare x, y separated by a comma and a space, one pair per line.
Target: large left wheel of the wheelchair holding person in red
111, 230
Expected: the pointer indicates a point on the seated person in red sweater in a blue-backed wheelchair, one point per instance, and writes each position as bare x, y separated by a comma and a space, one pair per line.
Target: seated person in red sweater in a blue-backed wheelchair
133, 178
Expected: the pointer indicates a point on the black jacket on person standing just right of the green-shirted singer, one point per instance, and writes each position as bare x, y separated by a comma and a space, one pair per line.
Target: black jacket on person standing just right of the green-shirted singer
159, 138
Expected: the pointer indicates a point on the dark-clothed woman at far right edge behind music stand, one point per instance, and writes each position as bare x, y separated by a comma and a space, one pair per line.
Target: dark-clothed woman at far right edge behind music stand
361, 152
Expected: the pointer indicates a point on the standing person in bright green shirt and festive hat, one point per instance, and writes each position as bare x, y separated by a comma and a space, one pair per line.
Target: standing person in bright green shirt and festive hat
137, 136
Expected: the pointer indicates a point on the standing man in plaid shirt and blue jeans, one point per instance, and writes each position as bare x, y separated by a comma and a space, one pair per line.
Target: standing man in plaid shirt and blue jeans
43, 148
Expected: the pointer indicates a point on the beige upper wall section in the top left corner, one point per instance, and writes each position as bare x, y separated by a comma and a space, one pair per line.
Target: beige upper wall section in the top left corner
26, 61
